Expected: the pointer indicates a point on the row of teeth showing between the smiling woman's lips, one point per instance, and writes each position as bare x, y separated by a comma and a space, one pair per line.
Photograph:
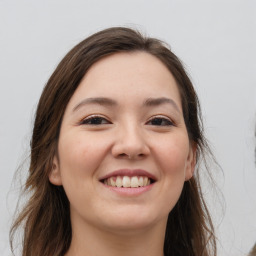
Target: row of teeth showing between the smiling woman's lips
128, 182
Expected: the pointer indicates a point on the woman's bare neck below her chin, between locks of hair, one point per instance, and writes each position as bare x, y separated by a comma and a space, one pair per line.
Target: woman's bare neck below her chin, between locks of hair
91, 241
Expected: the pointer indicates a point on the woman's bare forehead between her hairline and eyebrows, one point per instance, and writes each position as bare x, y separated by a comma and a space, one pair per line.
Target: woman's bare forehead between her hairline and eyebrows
125, 76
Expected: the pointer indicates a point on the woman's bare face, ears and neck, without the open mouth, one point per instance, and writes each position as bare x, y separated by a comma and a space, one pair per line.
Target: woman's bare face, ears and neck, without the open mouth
128, 135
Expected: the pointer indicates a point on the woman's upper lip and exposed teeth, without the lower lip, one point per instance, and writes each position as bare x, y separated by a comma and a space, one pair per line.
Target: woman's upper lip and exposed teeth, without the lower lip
125, 178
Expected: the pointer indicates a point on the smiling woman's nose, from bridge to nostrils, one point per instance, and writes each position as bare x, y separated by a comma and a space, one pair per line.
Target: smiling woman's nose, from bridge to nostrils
130, 143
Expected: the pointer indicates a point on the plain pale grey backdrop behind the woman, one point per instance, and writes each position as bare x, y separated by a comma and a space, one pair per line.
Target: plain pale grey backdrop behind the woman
216, 41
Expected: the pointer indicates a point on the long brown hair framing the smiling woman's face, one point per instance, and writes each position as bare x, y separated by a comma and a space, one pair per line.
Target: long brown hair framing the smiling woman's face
46, 219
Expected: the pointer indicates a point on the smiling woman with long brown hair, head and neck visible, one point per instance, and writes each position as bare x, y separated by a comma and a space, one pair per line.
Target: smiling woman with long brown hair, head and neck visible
116, 139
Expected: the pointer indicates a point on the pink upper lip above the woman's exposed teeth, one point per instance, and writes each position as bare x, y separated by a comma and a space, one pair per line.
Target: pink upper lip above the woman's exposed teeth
129, 173
